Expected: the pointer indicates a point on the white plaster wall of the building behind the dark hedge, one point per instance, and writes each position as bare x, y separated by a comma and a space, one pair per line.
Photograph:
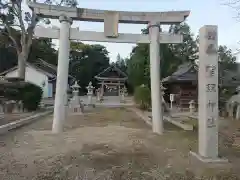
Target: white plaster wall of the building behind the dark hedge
33, 76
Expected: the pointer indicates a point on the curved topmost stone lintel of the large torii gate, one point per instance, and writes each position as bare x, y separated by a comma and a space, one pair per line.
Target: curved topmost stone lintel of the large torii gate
94, 15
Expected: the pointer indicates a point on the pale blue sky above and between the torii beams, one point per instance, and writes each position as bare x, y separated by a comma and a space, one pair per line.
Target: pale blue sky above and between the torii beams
204, 12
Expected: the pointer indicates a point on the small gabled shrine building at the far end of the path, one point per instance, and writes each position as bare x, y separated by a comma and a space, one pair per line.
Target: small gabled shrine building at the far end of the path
111, 81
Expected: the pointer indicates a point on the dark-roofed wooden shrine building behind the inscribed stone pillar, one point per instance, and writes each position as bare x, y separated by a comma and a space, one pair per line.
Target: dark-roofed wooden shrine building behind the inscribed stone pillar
183, 83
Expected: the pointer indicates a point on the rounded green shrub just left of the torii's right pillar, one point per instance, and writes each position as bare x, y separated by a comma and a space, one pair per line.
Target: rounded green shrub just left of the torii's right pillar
142, 97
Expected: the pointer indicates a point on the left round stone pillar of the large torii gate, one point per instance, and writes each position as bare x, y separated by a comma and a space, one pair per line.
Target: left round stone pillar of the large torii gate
62, 75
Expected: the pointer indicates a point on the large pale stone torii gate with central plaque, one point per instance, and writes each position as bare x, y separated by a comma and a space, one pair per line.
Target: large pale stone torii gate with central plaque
110, 34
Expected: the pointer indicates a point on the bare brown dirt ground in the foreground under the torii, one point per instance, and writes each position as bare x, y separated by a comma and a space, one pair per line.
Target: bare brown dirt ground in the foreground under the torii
108, 144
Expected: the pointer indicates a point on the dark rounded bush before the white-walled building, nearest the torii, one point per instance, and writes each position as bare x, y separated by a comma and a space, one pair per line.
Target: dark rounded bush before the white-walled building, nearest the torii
31, 96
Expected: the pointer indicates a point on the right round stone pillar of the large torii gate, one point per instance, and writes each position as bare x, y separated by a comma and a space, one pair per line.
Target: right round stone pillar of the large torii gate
157, 115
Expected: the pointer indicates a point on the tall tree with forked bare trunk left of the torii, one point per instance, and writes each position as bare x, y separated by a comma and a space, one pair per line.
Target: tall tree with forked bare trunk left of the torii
18, 24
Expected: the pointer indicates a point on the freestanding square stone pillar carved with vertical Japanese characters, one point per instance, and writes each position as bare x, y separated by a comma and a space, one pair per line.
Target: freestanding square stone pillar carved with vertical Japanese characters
208, 95
